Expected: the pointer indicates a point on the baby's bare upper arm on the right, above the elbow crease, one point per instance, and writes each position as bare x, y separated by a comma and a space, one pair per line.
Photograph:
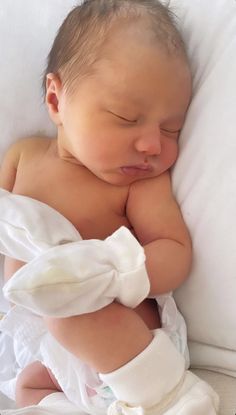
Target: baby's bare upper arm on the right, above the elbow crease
153, 211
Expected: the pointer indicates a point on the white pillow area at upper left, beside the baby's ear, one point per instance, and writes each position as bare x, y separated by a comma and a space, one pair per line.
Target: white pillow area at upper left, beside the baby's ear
27, 30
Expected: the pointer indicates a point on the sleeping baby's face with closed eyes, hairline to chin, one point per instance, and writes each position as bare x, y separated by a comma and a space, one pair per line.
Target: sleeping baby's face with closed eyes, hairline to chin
123, 122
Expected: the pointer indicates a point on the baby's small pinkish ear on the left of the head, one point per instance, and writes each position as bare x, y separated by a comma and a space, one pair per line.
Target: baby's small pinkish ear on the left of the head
52, 97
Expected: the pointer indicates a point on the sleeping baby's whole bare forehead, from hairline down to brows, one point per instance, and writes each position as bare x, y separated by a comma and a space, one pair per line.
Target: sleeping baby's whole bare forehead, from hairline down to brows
135, 67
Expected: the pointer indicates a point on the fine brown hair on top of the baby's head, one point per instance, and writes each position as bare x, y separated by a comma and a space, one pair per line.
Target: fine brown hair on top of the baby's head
80, 40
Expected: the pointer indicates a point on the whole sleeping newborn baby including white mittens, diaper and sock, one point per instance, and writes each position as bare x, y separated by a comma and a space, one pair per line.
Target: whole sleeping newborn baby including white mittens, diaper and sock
117, 87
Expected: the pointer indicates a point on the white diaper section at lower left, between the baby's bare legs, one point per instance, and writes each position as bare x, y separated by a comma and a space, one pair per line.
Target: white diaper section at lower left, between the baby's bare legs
25, 339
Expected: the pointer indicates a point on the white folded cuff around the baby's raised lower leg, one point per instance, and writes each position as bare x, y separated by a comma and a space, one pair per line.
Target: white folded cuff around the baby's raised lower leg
162, 368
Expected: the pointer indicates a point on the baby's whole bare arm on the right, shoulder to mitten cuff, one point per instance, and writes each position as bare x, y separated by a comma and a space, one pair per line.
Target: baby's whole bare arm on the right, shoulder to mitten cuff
159, 227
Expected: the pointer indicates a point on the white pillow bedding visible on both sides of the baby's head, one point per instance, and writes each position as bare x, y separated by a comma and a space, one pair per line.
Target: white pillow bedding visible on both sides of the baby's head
205, 175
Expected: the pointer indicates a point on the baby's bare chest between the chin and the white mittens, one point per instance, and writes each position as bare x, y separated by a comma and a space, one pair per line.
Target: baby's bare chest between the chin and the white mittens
94, 207
